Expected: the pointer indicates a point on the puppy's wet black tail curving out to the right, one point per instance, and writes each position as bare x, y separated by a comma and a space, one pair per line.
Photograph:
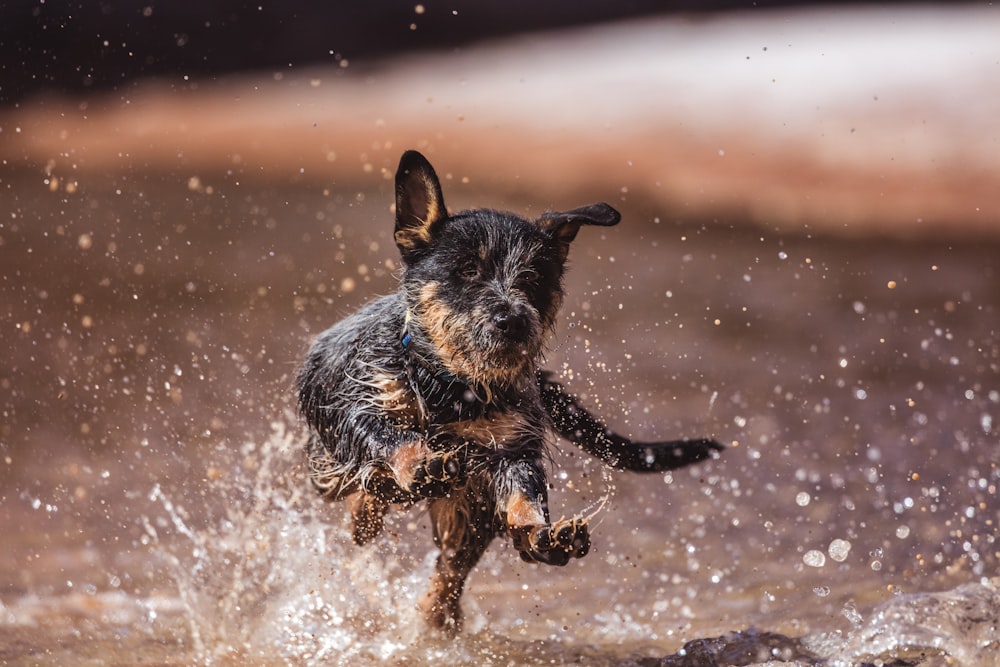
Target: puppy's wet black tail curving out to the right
572, 421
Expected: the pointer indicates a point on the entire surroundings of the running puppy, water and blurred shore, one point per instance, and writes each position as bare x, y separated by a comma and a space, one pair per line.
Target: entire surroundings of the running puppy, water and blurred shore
807, 269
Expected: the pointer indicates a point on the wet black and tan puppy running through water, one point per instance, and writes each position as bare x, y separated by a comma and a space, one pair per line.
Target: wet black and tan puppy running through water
435, 392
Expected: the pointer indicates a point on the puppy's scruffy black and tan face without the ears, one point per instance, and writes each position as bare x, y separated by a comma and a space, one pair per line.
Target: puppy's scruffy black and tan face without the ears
486, 293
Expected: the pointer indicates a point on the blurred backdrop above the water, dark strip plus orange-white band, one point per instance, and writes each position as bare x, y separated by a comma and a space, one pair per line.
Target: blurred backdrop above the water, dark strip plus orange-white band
837, 116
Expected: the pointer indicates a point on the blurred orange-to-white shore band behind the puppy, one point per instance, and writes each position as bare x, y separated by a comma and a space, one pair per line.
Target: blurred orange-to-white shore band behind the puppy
862, 122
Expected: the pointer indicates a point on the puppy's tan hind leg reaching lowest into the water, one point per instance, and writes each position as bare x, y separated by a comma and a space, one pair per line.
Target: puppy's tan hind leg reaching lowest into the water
463, 528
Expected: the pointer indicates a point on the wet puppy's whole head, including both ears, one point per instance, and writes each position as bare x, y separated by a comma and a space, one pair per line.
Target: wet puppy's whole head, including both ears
483, 287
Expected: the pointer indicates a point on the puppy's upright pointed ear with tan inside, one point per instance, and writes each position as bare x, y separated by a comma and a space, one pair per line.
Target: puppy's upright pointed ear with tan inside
419, 203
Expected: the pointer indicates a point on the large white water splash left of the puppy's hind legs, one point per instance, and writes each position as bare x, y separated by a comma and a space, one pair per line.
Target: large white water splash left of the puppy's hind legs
271, 579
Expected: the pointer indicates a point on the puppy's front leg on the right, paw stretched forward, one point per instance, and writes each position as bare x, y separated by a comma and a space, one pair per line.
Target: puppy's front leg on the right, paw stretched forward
522, 500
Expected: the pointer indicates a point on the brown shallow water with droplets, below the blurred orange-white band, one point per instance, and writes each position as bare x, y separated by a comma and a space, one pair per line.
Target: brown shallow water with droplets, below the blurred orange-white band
154, 507
